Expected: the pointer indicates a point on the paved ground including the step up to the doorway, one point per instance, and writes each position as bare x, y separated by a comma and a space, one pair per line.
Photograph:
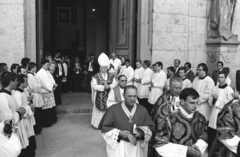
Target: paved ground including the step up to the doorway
72, 135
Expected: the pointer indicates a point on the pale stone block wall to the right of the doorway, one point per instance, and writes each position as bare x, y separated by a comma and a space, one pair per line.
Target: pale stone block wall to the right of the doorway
179, 31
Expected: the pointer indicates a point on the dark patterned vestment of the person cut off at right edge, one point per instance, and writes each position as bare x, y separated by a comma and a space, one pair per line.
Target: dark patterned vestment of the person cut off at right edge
228, 126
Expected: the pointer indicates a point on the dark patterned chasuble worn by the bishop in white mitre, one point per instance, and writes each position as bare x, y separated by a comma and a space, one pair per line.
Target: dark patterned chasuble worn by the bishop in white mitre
101, 96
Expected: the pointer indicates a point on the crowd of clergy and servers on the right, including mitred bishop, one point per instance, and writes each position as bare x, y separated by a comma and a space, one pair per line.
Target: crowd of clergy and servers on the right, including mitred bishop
146, 112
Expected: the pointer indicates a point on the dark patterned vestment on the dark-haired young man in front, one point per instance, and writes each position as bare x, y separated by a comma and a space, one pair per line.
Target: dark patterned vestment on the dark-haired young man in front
178, 129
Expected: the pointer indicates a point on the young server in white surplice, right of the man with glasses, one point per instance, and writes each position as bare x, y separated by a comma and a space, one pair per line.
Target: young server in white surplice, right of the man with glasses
222, 94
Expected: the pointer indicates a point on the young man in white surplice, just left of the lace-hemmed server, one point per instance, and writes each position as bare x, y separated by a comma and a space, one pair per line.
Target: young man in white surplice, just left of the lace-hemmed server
35, 85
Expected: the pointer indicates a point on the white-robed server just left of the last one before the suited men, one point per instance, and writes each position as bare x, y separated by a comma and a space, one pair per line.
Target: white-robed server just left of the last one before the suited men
143, 92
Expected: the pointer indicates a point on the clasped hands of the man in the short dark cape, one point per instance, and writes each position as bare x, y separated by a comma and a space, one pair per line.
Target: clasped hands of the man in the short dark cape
131, 137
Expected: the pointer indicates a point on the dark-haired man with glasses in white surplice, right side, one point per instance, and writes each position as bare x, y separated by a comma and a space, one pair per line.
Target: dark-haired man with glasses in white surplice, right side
203, 84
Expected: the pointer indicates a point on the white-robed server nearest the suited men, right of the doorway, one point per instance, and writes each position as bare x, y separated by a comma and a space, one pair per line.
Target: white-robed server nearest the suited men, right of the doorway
159, 79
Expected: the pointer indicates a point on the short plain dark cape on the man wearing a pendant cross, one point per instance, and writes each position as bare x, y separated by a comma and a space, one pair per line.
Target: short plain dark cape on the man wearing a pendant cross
115, 117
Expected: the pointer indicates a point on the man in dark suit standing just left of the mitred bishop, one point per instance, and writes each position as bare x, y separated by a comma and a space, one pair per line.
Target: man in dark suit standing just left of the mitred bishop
93, 68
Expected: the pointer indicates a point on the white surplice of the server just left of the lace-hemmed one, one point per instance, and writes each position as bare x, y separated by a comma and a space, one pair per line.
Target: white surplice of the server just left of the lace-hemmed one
34, 83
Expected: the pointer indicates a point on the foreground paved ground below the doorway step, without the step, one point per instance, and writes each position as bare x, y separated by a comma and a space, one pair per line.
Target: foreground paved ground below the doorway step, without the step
72, 136
